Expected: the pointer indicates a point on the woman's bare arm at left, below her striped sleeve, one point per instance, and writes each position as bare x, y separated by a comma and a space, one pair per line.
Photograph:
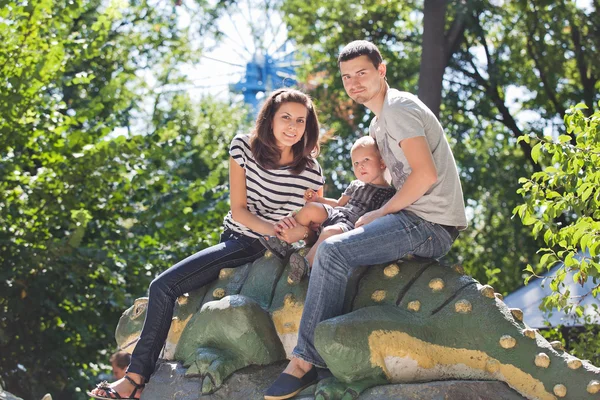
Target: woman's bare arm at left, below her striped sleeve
237, 198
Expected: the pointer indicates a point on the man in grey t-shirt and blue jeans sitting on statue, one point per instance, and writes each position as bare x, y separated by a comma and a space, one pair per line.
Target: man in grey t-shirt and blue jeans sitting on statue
423, 218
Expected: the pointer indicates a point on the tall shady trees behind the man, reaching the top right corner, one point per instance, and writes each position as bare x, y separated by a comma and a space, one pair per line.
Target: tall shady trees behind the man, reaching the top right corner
489, 77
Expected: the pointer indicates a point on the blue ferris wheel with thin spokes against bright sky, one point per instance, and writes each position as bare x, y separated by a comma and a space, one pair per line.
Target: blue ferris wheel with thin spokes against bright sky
253, 45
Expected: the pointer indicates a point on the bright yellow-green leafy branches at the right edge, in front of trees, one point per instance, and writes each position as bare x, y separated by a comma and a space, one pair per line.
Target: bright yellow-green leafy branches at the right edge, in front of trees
562, 204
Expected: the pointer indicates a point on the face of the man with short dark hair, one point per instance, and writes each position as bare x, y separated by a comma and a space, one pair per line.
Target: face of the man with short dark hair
362, 81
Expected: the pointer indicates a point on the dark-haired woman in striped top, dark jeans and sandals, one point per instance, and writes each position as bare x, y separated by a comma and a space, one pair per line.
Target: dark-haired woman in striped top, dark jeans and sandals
269, 172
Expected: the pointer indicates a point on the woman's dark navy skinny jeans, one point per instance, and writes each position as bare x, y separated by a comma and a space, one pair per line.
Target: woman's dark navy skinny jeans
195, 271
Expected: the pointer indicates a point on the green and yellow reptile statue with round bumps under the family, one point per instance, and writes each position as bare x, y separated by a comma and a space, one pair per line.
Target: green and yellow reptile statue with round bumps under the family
411, 321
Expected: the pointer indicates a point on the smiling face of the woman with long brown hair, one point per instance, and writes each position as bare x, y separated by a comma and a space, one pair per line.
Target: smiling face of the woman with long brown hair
289, 123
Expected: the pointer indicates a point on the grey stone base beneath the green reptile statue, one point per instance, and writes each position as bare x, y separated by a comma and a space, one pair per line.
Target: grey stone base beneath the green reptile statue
169, 383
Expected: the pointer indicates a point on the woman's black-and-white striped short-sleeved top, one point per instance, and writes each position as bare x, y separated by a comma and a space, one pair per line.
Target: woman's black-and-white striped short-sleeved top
271, 194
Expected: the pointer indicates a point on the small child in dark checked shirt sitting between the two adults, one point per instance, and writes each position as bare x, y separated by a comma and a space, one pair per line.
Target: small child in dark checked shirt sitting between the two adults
369, 192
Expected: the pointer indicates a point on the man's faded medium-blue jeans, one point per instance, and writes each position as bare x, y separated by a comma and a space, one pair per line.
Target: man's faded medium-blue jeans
386, 239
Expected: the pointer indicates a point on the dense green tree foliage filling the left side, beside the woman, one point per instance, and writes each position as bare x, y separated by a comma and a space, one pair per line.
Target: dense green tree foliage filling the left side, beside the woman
97, 194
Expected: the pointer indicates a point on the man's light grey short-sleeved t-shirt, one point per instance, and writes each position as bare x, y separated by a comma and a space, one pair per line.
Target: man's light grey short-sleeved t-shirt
404, 116
